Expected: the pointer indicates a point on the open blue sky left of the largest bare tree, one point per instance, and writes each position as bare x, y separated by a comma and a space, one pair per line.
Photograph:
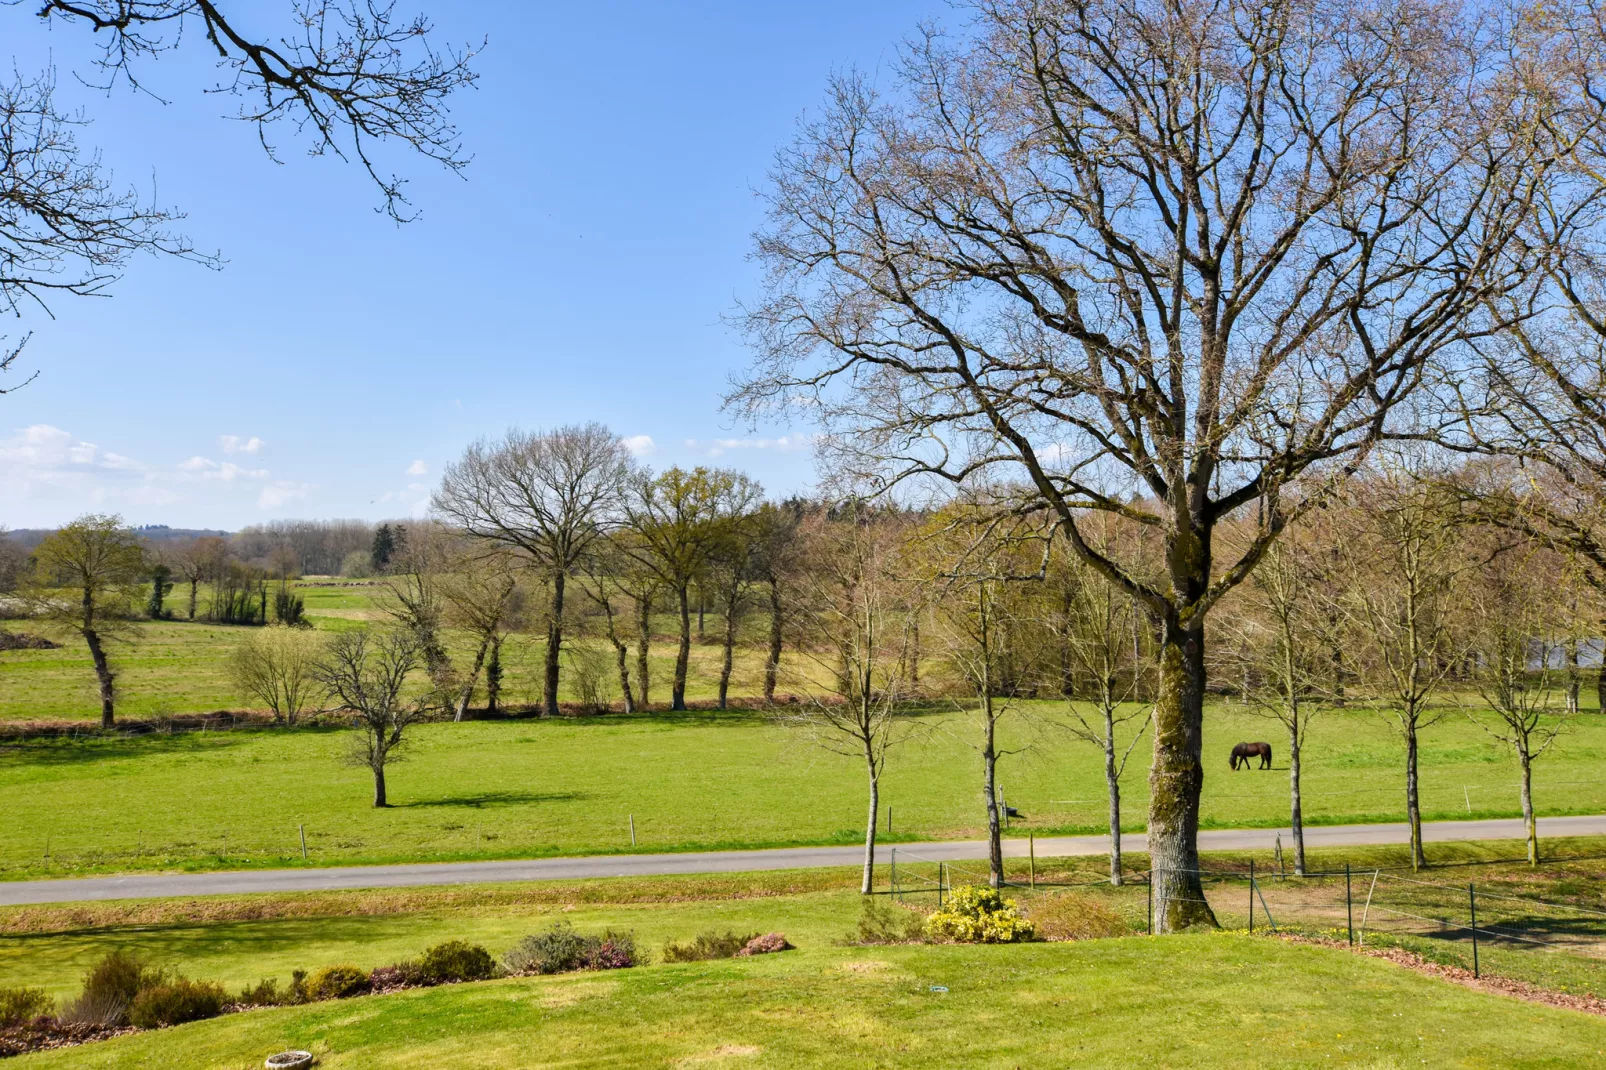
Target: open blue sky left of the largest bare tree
335, 366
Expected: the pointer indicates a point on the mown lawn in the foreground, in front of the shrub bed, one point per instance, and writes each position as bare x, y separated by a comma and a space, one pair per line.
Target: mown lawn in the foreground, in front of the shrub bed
1186, 1002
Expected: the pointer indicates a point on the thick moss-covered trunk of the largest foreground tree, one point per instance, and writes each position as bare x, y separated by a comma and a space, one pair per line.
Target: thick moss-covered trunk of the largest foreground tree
1176, 780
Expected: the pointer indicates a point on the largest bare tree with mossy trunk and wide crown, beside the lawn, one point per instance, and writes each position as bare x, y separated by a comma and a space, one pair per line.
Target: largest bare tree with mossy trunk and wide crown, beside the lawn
1152, 259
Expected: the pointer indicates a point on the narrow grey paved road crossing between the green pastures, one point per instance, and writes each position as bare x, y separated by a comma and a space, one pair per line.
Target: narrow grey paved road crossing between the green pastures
335, 878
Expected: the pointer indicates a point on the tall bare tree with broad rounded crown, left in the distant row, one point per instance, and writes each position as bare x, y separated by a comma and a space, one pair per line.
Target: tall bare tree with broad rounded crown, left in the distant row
548, 496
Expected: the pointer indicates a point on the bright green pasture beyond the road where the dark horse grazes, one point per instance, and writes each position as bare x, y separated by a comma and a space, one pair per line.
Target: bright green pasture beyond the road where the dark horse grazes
701, 780
